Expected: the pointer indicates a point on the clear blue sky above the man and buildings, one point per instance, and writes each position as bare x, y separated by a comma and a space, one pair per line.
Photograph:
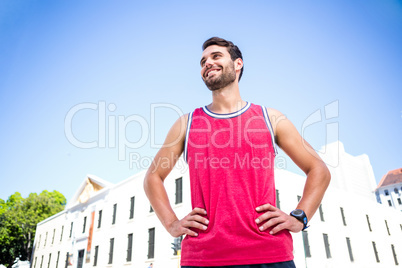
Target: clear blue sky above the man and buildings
138, 62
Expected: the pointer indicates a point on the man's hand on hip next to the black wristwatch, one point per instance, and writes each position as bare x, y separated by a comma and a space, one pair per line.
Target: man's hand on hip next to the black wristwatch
277, 220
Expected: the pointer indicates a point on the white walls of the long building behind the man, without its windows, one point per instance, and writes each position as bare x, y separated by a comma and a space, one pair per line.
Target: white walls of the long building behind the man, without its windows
351, 188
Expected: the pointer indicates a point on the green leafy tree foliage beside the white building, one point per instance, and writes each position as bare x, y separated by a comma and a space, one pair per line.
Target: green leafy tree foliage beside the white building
18, 219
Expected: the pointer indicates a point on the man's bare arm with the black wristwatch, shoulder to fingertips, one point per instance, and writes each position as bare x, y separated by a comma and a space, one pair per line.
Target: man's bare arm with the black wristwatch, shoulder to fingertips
304, 156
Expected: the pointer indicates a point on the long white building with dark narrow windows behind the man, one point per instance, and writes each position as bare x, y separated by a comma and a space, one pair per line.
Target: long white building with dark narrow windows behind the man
107, 225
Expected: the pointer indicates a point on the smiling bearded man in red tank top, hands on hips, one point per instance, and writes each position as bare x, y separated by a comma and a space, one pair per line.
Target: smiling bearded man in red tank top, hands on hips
229, 146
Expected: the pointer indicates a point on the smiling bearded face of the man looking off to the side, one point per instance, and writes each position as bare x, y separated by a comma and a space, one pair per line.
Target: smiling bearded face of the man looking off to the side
217, 68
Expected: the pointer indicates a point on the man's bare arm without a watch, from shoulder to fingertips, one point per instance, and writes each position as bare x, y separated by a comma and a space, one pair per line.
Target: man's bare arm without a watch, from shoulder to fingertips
163, 163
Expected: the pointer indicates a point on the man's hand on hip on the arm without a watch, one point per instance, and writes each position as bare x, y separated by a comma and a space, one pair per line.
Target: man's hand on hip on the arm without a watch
195, 219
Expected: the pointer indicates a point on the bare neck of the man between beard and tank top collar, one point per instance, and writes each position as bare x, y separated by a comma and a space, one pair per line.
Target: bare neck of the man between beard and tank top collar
227, 99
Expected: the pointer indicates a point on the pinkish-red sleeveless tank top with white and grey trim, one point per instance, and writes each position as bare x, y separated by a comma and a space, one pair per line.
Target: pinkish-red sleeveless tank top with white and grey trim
231, 164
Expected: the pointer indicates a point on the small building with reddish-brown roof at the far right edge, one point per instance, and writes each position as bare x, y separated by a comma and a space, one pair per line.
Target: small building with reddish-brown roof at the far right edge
389, 189
